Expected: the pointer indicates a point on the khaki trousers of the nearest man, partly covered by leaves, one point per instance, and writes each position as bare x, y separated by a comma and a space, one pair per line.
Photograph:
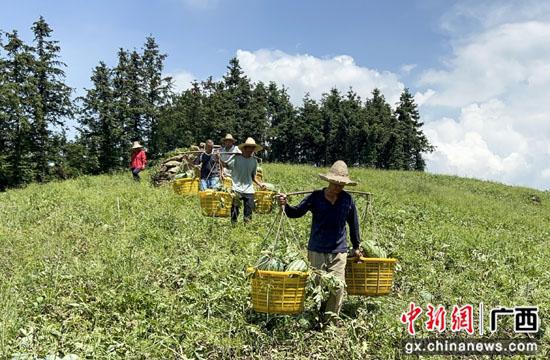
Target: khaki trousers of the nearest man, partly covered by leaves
336, 265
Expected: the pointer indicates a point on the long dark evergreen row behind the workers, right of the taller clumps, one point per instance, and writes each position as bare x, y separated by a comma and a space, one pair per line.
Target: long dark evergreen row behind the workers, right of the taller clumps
339, 126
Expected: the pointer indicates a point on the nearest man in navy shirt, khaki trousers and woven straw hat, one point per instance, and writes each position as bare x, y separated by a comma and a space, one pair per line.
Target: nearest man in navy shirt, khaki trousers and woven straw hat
332, 208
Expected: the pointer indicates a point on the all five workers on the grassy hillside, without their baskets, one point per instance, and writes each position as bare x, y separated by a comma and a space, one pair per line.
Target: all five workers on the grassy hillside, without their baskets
332, 207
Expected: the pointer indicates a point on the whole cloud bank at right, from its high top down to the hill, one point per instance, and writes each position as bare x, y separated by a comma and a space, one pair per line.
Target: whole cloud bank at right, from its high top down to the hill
500, 81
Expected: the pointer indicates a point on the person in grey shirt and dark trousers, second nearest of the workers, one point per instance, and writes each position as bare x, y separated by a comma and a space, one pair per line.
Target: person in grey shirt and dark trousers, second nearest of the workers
243, 172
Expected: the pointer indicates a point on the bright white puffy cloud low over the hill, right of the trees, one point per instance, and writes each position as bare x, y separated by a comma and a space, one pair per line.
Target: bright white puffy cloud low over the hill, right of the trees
483, 144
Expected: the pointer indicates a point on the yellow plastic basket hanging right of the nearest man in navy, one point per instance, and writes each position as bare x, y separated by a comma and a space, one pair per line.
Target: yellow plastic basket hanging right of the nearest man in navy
369, 276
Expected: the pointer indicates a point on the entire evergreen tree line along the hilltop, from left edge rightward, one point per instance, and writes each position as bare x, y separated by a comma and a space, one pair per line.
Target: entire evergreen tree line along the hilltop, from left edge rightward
134, 101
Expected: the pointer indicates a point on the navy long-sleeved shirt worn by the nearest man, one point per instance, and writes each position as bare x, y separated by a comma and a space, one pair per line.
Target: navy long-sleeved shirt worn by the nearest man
328, 226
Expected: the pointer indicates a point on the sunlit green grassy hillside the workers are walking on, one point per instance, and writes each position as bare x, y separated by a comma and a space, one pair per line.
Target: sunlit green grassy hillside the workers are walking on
102, 267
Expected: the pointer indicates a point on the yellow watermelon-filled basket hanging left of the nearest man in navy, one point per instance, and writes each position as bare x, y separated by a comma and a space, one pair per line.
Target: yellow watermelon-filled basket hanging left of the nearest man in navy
278, 292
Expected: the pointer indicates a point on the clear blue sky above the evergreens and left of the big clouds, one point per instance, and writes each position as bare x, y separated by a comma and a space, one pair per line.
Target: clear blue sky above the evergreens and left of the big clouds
201, 36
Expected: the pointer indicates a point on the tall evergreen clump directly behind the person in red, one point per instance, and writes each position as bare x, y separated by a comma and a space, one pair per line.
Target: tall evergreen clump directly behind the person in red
123, 105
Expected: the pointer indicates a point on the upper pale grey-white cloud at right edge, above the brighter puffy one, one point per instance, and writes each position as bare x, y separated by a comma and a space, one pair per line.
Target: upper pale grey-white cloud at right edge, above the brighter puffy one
502, 62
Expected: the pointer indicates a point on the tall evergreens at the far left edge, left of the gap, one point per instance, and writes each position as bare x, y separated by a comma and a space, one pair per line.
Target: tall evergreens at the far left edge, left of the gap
34, 104
